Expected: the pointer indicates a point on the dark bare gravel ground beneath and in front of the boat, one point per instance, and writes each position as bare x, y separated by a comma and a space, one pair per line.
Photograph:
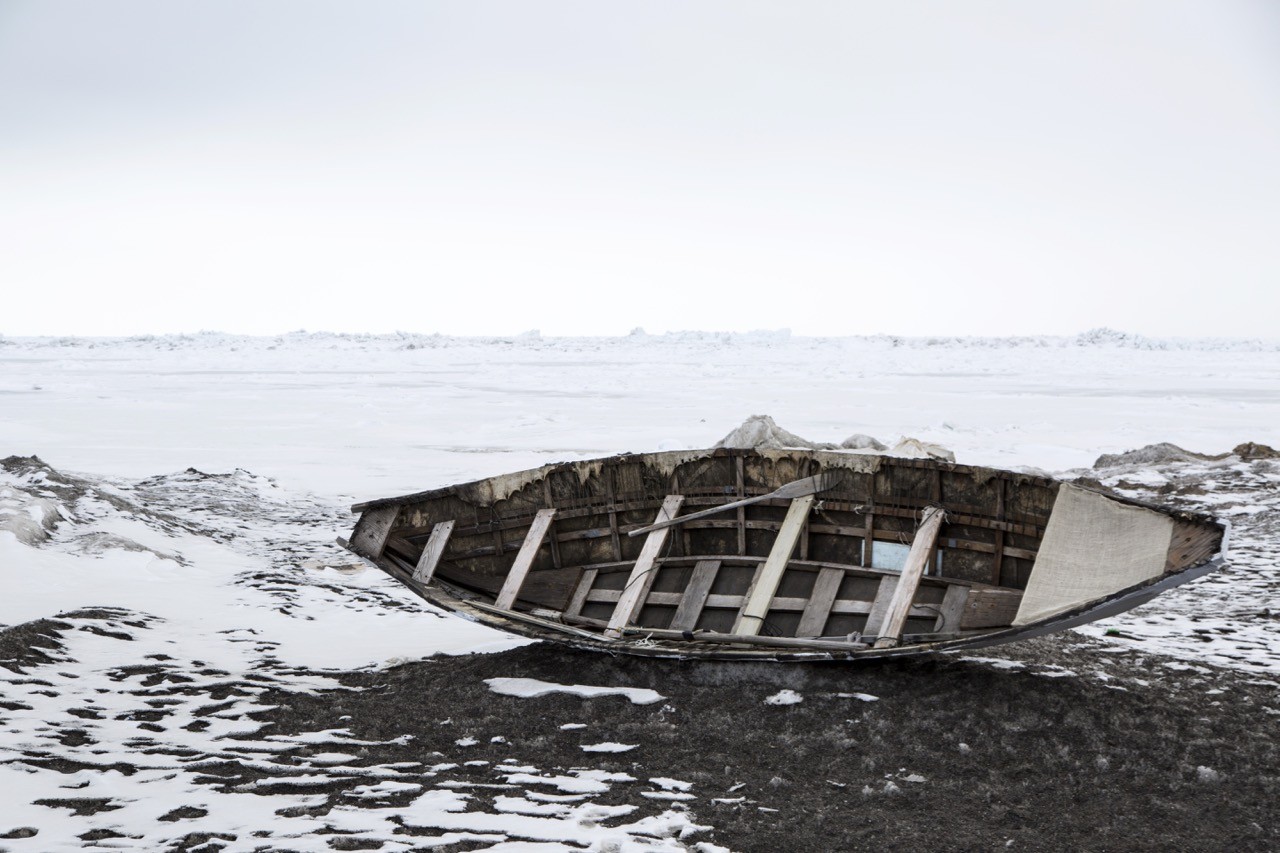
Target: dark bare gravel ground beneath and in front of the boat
1124, 755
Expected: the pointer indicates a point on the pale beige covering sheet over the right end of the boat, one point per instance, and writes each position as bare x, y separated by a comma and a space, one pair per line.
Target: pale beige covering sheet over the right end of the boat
1072, 569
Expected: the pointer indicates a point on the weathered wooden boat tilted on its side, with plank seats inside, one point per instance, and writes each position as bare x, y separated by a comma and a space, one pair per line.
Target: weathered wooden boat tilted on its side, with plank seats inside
781, 554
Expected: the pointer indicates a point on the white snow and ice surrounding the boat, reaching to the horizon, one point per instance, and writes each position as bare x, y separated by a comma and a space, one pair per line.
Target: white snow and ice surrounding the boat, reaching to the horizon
195, 486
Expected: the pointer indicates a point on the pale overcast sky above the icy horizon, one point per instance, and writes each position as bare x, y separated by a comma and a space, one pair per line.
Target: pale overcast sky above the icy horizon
586, 168
